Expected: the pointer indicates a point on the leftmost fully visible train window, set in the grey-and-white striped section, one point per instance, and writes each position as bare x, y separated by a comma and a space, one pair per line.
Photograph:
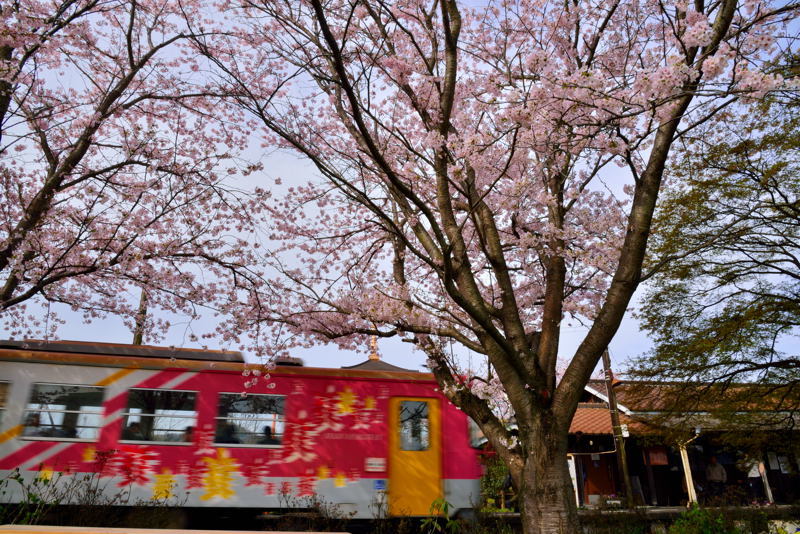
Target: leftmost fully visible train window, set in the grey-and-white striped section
63, 411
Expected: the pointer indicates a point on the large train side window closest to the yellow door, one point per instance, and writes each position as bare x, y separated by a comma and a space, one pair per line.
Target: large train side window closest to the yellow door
250, 420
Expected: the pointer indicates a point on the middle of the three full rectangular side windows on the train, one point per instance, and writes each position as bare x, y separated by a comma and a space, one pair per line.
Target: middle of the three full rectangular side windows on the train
159, 415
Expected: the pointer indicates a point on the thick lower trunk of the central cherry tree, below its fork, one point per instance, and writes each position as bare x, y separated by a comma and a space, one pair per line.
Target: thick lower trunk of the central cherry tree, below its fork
547, 498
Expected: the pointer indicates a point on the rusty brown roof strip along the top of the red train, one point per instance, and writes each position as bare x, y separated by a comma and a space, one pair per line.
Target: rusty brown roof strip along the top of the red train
149, 357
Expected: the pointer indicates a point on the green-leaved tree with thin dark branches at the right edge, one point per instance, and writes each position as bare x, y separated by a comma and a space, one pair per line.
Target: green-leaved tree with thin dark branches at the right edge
722, 303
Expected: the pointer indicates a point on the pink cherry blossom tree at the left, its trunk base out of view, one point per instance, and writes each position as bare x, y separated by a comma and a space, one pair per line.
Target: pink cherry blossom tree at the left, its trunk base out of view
114, 172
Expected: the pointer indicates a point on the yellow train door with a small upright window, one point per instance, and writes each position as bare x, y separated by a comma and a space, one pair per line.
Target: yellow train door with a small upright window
415, 462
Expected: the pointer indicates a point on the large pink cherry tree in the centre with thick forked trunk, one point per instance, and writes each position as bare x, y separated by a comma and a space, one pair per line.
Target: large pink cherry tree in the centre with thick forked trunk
484, 176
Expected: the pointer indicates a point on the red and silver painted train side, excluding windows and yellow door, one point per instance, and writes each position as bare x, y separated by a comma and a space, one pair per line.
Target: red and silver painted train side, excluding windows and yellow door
333, 433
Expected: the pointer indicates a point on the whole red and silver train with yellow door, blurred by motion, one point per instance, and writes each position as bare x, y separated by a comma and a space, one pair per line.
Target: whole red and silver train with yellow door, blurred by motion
161, 422
